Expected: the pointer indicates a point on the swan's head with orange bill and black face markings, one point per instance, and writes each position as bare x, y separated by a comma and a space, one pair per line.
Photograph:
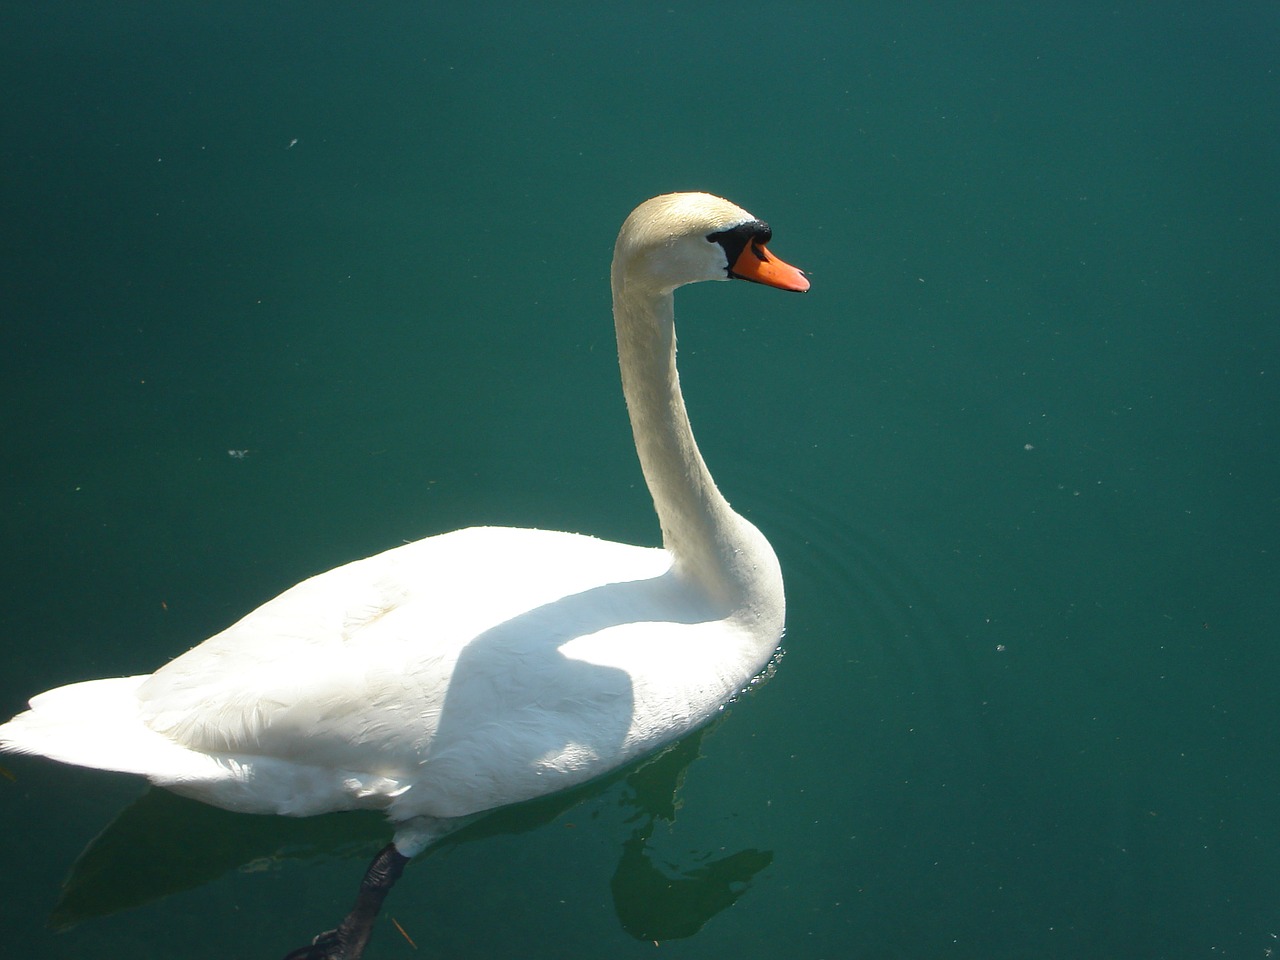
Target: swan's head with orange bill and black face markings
682, 239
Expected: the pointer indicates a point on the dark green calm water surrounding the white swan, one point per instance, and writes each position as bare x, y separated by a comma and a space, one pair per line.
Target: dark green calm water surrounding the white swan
1017, 451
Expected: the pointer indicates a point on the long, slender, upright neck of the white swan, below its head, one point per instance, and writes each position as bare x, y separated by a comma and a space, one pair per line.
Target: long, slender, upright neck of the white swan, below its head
711, 545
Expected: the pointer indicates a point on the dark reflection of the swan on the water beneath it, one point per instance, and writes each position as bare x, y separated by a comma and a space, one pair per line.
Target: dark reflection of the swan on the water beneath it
134, 861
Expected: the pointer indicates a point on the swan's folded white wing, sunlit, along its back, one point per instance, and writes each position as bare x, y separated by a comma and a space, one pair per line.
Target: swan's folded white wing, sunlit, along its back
359, 661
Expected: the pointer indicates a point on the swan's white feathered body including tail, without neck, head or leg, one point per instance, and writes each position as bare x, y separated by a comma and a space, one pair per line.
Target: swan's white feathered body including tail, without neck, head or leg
327, 698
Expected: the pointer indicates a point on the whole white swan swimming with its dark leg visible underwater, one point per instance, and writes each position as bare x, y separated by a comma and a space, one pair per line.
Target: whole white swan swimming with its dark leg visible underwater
481, 668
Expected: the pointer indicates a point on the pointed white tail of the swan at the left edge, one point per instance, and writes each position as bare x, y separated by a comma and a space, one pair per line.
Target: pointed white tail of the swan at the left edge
98, 724
